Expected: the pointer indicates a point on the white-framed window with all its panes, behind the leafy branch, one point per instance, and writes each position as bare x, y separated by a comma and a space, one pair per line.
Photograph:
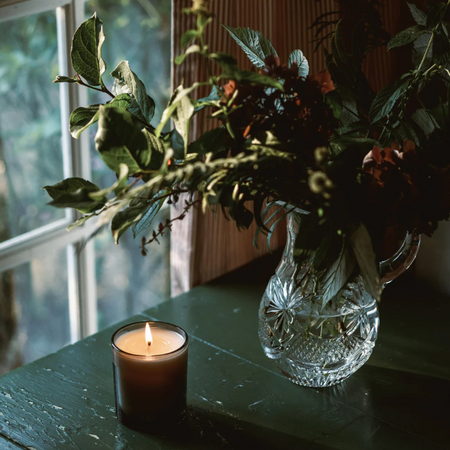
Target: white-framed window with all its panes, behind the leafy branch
54, 288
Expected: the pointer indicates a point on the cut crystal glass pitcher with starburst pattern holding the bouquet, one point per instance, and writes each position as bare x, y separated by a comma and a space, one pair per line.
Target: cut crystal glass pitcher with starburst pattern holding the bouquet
320, 346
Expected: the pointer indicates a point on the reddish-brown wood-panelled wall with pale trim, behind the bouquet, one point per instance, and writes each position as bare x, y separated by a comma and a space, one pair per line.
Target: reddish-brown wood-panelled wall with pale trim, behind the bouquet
285, 23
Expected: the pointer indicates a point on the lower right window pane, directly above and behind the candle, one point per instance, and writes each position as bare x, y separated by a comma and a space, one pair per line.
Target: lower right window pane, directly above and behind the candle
128, 283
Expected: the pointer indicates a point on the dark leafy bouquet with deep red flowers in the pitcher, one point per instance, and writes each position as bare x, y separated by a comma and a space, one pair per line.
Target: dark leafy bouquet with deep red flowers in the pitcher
357, 162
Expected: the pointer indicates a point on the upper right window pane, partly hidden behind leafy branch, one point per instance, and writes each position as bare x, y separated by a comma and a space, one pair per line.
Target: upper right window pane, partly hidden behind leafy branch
138, 32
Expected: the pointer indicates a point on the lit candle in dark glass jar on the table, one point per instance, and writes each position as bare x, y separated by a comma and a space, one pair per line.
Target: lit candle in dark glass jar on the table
150, 372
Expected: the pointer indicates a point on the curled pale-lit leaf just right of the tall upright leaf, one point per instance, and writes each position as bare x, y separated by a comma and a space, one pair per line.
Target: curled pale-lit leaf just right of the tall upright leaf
126, 79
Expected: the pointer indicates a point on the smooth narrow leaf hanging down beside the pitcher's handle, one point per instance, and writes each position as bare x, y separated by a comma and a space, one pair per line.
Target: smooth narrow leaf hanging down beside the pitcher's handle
365, 257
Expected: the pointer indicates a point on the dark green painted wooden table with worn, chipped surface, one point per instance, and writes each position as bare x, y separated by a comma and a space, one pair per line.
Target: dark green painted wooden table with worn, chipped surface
237, 399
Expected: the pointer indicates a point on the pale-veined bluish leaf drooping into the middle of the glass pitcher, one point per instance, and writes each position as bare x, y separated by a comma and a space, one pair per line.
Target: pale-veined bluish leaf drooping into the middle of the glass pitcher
334, 279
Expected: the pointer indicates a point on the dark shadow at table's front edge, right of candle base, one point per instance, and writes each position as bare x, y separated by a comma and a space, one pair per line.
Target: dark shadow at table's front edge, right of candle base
206, 430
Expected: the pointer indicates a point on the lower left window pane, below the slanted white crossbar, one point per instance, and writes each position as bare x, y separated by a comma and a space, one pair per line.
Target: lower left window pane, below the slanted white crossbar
34, 310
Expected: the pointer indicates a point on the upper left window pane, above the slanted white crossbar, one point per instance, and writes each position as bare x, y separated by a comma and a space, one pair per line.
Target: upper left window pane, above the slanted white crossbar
30, 123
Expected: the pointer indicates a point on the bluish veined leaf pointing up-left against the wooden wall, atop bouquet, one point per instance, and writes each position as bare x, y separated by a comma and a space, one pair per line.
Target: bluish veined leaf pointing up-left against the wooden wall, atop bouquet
255, 45
